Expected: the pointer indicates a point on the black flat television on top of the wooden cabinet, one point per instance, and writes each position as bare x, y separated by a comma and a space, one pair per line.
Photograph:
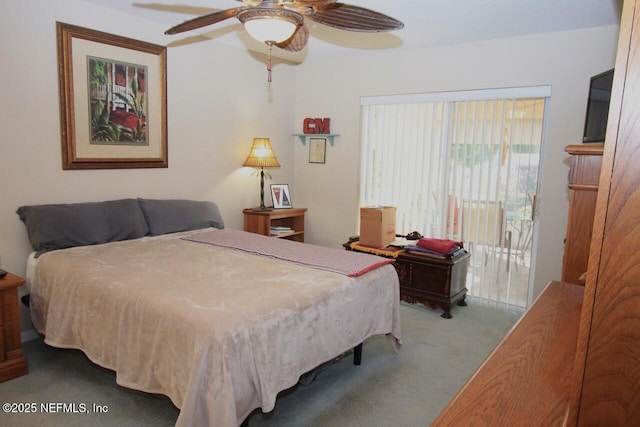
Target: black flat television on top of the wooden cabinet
595, 124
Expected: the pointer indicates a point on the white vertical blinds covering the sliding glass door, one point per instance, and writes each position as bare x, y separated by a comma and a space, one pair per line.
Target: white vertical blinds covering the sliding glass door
464, 168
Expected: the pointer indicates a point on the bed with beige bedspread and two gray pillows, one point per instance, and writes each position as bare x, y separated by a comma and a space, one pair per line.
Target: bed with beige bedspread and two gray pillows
218, 320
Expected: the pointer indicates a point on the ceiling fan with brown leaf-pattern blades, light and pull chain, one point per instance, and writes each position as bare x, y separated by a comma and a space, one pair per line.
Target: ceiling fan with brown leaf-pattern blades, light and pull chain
281, 22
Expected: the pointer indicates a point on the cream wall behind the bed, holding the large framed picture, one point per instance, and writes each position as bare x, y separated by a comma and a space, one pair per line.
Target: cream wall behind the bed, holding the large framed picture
218, 100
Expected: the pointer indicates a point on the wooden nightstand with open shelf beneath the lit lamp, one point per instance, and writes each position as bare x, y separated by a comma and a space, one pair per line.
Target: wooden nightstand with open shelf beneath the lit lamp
260, 222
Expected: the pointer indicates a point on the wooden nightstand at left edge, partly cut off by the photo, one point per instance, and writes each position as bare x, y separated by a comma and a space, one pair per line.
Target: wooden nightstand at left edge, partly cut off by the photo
13, 363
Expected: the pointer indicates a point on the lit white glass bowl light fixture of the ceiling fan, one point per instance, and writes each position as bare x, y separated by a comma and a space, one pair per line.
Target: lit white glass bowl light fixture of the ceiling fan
269, 25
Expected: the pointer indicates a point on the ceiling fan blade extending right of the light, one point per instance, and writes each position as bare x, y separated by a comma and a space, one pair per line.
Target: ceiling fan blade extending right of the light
354, 18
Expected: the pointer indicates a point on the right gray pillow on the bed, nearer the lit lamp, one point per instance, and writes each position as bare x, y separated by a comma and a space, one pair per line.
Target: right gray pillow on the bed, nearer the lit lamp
171, 216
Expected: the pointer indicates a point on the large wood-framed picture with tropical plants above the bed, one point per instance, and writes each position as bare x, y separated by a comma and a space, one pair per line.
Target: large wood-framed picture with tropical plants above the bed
113, 102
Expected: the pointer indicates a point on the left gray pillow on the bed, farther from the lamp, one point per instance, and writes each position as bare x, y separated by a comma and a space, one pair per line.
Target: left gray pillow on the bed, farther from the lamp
60, 226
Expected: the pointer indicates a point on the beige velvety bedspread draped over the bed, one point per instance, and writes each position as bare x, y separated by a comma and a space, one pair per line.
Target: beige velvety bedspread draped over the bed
218, 330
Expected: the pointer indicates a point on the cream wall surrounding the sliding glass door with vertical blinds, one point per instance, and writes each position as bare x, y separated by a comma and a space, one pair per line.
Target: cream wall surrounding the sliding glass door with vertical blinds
333, 88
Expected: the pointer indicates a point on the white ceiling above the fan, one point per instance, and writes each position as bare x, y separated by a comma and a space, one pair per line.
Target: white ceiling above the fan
427, 22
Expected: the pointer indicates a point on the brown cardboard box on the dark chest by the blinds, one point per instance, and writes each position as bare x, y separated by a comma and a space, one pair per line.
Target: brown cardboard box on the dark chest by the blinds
377, 225
